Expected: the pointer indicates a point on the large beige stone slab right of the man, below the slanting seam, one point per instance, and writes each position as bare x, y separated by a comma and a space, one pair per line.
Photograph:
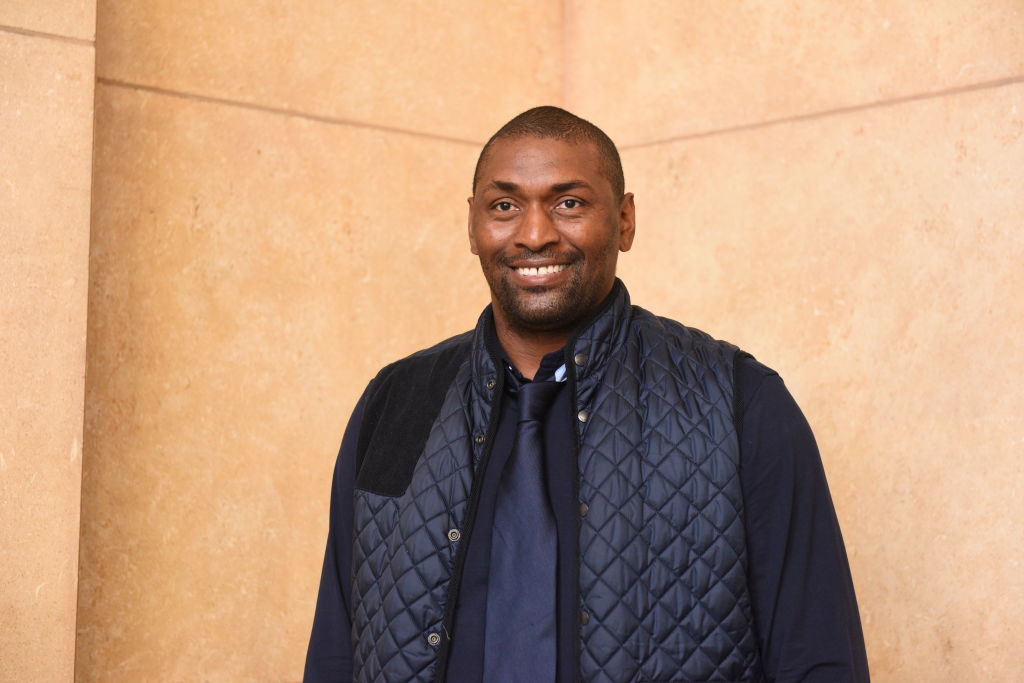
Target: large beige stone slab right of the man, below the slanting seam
875, 261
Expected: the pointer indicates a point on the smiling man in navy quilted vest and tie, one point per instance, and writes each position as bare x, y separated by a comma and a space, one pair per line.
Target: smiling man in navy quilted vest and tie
578, 490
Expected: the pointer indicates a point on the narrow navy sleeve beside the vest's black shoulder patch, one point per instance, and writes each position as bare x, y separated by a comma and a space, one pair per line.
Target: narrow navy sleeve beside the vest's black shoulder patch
330, 655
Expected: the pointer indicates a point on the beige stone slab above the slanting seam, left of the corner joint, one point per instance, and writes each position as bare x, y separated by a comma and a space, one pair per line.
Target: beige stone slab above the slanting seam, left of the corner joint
458, 70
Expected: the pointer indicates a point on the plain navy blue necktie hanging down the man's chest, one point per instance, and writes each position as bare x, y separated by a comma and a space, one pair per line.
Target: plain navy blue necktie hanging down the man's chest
521, 624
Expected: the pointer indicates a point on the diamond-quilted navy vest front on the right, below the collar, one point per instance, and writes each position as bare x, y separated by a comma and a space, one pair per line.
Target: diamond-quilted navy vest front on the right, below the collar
664, 576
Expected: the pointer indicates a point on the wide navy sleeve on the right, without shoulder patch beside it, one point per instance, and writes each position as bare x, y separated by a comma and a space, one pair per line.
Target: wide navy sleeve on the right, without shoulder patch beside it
804, 604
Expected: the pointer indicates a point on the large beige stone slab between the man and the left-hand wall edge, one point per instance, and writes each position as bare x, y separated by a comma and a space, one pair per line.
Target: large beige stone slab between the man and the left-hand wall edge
250, 274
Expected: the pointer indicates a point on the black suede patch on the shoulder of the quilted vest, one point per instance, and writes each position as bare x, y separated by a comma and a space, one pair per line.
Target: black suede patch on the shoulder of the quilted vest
402, 406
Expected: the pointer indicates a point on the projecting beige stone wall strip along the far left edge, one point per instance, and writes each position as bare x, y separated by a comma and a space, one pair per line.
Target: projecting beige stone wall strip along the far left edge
47, 84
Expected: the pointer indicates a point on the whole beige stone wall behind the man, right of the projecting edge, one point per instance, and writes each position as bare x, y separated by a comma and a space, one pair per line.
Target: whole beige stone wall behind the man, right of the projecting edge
279, 210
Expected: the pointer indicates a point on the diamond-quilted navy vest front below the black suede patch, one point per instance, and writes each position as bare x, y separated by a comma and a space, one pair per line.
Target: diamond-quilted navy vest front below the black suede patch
403, 558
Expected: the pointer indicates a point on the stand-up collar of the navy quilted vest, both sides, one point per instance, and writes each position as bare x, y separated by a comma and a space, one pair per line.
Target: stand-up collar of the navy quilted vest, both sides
591, 345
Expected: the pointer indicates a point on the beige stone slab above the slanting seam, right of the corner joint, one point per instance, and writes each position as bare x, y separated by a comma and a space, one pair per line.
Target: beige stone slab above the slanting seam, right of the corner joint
657, 70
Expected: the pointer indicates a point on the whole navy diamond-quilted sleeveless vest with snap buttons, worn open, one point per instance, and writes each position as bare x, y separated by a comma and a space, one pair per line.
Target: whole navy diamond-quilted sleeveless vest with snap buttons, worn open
663, 566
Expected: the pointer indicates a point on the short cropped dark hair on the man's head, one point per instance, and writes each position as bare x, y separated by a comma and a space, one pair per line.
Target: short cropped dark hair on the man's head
552, 122
